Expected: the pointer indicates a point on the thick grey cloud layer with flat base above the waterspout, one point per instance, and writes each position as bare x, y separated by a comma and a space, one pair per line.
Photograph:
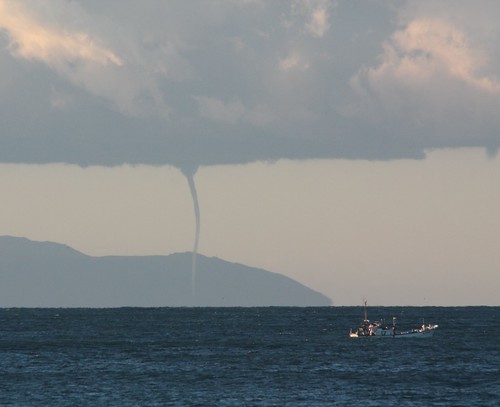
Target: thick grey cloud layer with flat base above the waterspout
201, 83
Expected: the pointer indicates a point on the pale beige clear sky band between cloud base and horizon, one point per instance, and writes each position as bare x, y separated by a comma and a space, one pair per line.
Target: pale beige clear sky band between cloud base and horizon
418, 250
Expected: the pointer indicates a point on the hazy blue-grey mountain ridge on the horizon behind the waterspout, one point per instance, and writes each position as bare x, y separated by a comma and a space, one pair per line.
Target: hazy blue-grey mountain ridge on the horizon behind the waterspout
46, 274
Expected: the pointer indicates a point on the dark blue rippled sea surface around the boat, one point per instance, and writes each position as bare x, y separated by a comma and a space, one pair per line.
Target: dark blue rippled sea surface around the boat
246, 357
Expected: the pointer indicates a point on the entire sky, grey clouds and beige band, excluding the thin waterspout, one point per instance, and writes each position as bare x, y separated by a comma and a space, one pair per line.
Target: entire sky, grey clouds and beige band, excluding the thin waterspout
350, 145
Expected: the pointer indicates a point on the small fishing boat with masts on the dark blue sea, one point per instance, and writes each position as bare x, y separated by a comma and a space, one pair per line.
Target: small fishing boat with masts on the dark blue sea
378, 329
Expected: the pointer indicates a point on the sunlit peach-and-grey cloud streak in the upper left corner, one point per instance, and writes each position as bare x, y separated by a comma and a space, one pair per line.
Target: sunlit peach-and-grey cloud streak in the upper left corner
39, 33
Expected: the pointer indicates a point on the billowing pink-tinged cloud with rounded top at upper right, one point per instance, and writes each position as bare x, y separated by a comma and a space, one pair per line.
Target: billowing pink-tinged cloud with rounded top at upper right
429, 75
